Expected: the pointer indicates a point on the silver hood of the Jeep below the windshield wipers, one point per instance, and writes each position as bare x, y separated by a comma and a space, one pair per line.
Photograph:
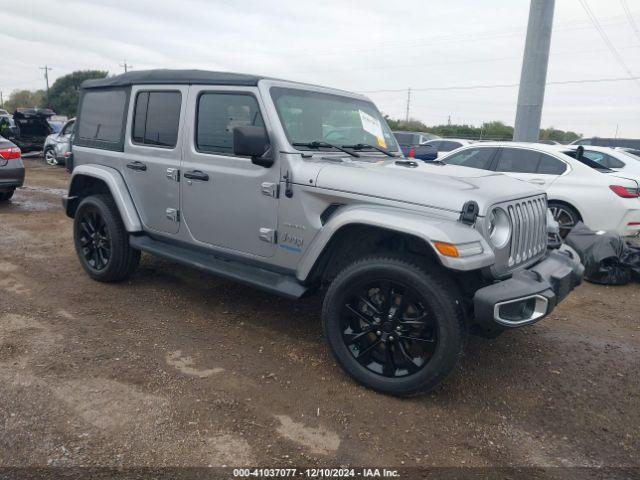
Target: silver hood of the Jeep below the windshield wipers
435, 185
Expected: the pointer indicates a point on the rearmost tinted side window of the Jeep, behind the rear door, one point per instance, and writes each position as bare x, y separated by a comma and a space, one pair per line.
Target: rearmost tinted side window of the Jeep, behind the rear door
102, 117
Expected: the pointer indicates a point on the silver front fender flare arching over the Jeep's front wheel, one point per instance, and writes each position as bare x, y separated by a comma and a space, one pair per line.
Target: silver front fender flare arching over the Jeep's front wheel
427, 228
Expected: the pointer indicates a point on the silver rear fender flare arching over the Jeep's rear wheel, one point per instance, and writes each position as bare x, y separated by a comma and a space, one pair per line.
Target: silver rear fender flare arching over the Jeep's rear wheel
116, 185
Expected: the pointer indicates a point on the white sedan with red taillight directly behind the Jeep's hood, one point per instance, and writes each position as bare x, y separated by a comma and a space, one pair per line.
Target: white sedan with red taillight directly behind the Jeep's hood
577, 190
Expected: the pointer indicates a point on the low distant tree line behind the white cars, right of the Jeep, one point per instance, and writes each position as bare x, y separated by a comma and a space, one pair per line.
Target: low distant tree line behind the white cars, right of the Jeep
487, 131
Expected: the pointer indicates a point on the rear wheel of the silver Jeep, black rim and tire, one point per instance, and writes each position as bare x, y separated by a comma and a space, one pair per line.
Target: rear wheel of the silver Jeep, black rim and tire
102, 242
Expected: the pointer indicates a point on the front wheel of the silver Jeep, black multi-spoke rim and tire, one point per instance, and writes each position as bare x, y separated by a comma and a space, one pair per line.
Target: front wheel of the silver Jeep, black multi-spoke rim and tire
392, 326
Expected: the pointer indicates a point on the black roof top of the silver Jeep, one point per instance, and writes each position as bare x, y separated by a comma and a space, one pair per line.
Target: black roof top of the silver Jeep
164, 76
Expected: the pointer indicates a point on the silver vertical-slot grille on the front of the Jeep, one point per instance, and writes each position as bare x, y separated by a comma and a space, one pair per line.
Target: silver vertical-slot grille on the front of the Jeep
529, 229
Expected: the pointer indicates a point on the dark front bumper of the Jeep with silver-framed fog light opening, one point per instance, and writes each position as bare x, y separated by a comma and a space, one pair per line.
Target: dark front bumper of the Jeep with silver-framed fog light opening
531, 294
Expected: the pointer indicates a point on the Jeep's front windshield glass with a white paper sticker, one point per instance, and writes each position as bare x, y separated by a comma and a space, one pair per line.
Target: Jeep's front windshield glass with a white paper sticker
309, 116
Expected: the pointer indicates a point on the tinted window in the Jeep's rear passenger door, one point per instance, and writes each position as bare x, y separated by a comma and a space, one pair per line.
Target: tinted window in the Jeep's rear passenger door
156, 118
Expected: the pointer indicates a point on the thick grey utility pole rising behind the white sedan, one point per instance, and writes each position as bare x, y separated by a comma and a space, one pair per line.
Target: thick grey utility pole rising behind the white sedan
534, 71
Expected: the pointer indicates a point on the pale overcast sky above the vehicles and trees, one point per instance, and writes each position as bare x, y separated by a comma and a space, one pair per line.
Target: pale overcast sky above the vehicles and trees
365, 46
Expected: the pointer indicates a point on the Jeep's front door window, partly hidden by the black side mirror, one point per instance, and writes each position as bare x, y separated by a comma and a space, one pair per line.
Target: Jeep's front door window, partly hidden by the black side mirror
218, 115
